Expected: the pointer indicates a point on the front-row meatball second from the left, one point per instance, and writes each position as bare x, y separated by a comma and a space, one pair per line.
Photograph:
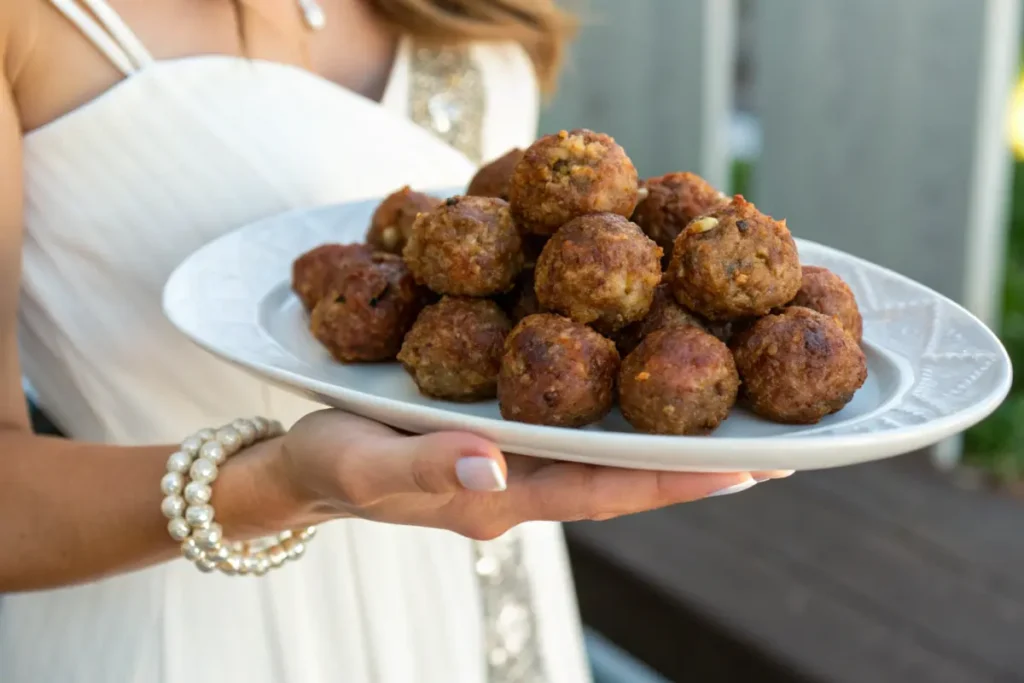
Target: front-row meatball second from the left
454, 351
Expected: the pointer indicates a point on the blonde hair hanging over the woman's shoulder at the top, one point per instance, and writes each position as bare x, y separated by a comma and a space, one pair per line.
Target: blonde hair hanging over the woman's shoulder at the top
540, 26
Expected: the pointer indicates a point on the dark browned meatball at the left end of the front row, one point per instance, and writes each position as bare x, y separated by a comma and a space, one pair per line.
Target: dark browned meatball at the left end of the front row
369, 309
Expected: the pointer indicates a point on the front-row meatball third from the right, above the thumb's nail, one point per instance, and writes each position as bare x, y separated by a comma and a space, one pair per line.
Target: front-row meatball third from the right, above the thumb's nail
557, 372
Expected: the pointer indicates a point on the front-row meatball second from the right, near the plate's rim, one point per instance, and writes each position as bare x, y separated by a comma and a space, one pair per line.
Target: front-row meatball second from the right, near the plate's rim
678, 381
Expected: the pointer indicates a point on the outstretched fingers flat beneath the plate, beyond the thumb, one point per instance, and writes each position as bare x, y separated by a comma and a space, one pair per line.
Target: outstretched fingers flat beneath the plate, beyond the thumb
568, 492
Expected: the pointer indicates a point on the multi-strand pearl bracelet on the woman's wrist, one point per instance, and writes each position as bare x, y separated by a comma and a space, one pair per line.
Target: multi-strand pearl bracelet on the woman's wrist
191, 471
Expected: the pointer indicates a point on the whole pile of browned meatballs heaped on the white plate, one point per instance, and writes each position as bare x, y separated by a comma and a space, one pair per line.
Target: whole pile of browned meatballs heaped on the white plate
562, 284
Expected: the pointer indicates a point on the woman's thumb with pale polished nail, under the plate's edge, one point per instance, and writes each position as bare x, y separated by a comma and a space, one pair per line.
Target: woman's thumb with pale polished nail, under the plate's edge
439, 463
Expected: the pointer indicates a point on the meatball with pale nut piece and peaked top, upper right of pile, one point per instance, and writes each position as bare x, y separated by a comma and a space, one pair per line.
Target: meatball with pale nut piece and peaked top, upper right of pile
735, 263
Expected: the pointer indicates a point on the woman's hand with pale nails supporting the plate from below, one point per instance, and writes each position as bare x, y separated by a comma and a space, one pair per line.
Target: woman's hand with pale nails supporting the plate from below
346, 466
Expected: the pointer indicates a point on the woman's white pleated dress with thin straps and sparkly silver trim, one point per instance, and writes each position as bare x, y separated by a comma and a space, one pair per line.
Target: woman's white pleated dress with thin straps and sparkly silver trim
119, 192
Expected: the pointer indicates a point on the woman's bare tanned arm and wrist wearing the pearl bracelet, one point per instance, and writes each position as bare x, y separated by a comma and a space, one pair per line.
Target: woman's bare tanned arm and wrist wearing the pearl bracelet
70, 511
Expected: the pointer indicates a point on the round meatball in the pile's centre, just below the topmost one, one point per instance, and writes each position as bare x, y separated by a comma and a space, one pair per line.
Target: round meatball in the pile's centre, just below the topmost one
600, 270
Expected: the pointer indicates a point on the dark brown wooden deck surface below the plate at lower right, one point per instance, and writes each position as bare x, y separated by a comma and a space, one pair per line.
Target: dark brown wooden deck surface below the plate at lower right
877, 574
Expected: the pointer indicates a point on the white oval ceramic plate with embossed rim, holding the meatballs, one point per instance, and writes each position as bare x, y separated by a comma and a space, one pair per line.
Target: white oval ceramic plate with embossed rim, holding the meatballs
934, 370
